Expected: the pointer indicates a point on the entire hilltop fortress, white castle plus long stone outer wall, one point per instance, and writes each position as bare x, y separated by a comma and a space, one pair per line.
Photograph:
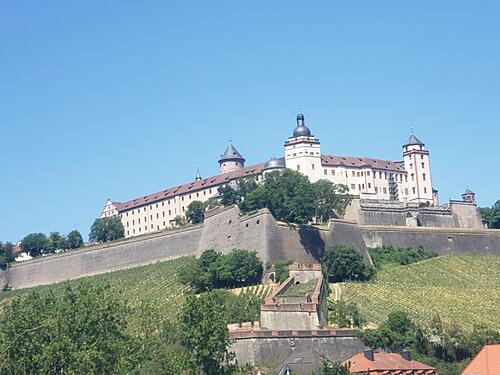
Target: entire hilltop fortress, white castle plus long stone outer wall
394, 205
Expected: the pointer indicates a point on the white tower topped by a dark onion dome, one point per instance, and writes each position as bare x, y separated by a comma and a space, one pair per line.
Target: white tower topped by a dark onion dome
302, 151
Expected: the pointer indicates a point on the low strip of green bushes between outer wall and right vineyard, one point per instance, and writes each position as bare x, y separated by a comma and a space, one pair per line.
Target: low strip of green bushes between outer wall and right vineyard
382, 256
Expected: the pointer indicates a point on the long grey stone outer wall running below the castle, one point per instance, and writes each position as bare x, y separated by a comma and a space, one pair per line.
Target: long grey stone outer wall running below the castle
225, 229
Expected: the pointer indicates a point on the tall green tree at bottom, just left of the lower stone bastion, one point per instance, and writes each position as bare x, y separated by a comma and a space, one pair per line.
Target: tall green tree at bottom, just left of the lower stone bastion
205, 333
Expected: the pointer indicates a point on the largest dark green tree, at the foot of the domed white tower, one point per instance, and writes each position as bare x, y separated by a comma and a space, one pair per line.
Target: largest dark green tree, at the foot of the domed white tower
290, 196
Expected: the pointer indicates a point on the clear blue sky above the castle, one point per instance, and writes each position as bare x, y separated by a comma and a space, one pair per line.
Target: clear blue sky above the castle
118, 99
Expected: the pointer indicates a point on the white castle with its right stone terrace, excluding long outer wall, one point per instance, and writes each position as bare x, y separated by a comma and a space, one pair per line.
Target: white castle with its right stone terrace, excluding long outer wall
387, 192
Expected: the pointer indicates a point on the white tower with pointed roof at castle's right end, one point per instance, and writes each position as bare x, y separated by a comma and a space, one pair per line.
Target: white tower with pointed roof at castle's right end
418, 183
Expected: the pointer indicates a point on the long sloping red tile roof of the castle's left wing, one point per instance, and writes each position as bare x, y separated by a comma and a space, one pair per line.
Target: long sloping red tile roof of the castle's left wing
189, 187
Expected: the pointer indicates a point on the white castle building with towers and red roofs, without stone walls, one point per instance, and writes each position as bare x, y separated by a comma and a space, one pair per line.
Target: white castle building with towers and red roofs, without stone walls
407, 181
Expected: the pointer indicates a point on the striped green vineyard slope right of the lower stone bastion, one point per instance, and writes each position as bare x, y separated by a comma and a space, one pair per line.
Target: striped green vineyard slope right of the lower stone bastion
460, 288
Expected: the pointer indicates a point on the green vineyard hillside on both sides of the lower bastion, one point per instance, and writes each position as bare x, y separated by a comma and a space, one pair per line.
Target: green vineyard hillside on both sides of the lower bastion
460, 288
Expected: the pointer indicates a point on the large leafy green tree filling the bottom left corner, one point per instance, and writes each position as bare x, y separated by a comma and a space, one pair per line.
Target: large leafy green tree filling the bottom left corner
83, 331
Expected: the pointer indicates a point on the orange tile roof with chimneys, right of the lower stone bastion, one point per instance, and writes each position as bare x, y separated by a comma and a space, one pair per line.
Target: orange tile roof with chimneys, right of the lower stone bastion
387, 364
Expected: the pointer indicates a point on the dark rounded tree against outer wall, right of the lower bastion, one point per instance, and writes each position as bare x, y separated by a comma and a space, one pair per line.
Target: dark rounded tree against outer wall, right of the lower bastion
345, 263
